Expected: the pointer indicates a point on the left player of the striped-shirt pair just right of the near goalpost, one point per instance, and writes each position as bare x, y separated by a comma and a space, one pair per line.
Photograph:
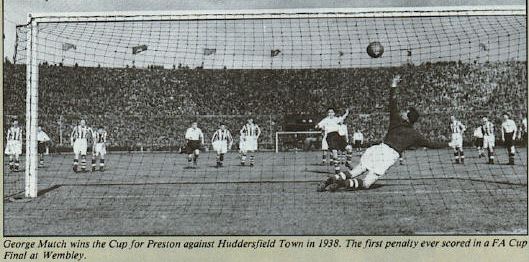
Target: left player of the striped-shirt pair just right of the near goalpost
79, 142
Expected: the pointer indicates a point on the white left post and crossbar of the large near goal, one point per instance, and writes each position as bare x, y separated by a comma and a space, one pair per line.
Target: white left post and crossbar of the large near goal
34, 19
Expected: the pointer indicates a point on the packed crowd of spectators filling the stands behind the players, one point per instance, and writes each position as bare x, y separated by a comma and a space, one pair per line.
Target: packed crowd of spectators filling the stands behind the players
153, 107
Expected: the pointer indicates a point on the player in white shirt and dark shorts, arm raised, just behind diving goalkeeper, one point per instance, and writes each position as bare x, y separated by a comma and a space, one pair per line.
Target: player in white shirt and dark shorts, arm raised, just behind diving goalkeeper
331, 127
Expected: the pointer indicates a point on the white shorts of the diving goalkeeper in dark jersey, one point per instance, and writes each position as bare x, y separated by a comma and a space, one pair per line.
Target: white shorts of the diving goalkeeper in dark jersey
379, 158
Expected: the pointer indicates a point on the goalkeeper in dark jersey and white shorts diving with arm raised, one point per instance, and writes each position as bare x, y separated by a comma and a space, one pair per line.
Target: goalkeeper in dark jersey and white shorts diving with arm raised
377, 159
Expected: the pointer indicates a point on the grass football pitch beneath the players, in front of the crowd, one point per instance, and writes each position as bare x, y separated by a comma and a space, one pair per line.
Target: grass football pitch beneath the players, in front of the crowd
154, 194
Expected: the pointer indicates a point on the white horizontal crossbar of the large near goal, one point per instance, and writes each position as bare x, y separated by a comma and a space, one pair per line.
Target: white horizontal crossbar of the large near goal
280, 13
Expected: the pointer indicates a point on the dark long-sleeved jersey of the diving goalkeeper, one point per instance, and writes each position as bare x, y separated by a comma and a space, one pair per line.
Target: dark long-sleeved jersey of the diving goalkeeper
401, 134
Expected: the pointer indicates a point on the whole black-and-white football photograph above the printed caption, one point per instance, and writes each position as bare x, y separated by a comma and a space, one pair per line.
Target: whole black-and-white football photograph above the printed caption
264, 118
